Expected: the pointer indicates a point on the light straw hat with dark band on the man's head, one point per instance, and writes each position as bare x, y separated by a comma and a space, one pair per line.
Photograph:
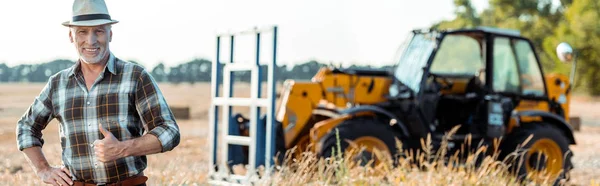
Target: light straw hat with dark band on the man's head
89, 13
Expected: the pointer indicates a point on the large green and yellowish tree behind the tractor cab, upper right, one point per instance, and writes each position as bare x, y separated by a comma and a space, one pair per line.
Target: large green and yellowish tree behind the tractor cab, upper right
546, 23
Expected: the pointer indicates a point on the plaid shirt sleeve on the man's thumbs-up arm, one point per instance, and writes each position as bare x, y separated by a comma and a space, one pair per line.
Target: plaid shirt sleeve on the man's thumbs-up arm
155, 112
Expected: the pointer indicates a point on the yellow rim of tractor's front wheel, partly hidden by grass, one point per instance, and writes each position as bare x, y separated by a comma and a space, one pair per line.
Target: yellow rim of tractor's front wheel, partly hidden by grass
363, 148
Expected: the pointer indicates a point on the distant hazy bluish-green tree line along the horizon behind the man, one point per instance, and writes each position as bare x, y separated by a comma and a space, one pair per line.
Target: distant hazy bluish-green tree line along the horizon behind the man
197, 70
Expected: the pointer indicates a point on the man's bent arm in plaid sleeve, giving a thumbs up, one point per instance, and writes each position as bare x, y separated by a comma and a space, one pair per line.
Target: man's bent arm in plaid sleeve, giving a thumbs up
163, 134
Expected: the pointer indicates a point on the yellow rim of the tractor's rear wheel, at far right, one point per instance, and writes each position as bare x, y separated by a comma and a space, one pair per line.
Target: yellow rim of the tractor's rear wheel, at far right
544, 158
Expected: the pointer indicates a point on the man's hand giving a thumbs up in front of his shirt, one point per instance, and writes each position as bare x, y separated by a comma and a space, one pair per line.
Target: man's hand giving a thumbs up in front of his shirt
109, 148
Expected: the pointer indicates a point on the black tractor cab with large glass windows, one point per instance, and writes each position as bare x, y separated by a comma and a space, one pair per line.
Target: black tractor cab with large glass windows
474, 78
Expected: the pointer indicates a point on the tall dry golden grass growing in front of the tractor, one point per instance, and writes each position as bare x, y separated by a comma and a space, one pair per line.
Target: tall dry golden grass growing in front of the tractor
427, 167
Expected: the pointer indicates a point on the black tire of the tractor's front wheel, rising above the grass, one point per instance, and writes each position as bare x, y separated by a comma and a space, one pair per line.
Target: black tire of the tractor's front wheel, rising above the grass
360, 127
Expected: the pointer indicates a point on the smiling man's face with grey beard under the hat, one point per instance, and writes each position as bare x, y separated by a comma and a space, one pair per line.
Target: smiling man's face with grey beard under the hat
91, 42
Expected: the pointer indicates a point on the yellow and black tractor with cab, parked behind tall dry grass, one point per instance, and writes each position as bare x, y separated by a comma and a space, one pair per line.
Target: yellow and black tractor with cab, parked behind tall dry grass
487, 81
